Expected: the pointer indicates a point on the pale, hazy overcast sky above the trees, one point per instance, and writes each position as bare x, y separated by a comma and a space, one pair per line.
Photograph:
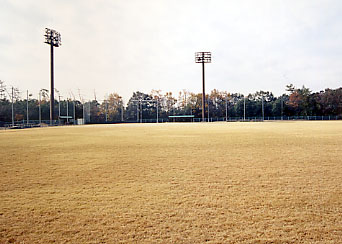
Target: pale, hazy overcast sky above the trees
129, 45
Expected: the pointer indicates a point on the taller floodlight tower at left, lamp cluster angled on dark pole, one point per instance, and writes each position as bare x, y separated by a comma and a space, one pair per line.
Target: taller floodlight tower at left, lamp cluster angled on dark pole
53, 38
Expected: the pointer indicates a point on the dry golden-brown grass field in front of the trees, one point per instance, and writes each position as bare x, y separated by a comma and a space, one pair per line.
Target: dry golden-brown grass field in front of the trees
272, 182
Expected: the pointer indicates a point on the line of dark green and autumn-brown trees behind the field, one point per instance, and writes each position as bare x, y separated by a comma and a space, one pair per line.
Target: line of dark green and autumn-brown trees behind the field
143, 107
